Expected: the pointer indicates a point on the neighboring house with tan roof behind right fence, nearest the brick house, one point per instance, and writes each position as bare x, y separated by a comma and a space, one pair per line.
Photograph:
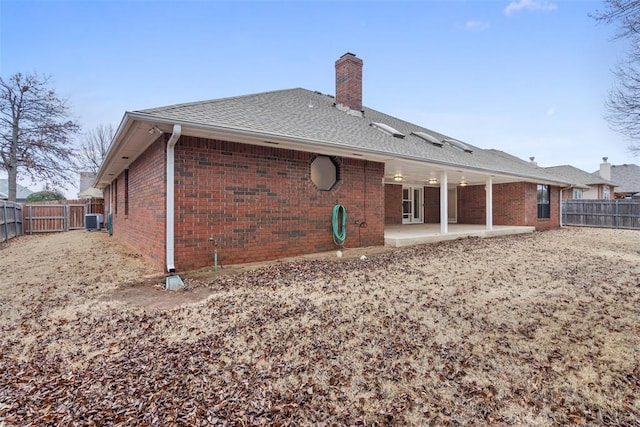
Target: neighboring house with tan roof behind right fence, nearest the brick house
584, 185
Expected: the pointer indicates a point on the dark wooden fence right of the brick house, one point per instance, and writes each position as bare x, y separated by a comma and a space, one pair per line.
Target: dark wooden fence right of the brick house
602, 213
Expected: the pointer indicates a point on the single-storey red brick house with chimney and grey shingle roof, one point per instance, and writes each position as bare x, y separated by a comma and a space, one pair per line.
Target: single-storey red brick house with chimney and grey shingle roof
259, 175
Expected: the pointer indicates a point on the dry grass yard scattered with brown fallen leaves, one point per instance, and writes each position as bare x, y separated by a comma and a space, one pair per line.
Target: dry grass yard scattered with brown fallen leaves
541, 329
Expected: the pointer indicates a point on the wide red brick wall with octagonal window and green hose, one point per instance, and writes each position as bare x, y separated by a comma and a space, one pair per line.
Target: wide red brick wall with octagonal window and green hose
260, 203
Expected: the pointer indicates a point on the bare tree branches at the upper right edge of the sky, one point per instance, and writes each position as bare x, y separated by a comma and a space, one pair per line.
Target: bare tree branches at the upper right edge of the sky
623, 103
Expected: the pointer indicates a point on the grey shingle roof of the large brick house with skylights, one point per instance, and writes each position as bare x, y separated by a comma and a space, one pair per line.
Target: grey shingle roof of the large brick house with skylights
306, 115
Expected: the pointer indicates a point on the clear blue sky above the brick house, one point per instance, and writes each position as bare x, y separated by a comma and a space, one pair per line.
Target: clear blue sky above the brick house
529, 77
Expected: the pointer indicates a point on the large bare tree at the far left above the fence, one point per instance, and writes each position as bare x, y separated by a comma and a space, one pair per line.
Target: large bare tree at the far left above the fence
35, 133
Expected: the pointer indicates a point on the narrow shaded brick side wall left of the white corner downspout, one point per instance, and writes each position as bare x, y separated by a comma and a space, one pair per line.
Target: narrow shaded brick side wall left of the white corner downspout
144, 228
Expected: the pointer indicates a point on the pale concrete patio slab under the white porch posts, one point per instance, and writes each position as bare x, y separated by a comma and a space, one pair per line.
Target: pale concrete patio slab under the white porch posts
415, 234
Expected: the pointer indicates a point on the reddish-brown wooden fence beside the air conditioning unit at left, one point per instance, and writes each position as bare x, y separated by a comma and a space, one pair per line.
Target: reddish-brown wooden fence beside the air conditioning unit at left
59, 215
